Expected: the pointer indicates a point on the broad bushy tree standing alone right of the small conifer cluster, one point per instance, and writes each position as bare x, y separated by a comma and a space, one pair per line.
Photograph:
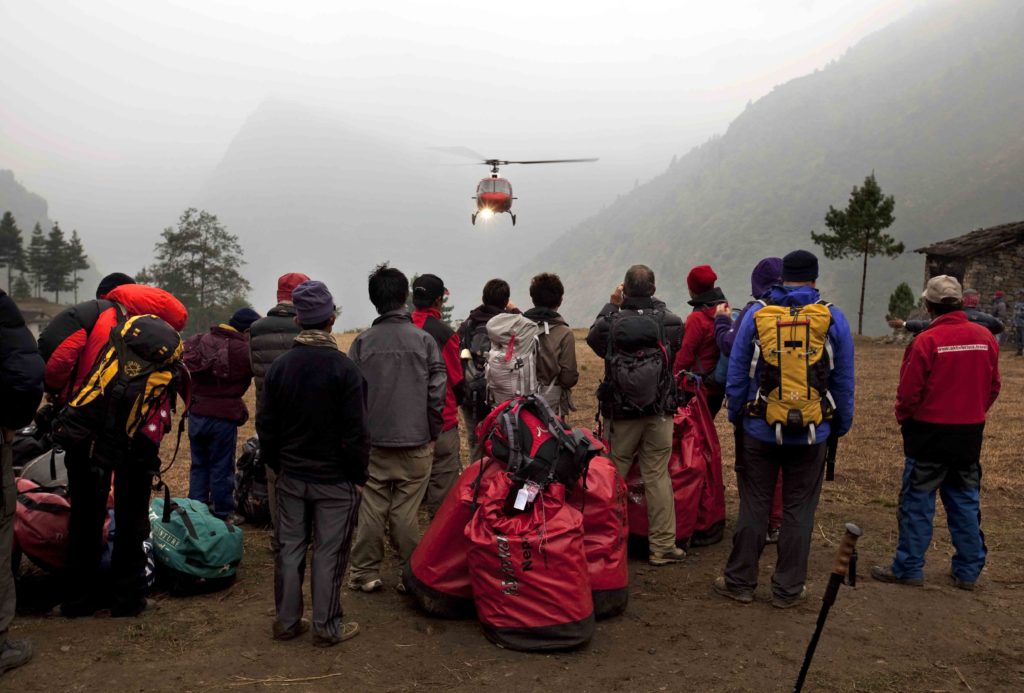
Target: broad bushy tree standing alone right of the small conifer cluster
201, 264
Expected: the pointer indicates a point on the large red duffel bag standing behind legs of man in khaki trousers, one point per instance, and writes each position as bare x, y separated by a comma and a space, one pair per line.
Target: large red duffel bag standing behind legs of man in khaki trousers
696, 469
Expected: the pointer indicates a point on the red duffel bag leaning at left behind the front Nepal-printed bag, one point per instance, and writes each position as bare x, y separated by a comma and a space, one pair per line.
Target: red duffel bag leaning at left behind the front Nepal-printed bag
438, 576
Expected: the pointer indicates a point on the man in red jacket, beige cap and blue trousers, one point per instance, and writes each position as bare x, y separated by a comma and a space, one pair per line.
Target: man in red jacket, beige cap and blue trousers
950, 379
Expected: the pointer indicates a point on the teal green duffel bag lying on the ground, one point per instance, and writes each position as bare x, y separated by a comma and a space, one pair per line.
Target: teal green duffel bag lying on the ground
196, 552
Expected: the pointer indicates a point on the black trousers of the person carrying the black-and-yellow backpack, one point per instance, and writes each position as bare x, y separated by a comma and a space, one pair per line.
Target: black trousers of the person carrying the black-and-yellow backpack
90, 488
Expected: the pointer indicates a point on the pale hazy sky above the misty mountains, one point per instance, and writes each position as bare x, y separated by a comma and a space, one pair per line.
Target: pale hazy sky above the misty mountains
125, 107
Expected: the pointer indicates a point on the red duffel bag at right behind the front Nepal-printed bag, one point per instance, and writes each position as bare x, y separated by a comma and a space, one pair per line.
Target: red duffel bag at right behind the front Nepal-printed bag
606, 537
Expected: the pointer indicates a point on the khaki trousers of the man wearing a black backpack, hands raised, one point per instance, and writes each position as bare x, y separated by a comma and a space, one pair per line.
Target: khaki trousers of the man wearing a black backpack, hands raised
648, 442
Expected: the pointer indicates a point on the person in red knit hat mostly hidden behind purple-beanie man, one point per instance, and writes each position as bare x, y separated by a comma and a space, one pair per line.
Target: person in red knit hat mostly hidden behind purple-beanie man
269, 338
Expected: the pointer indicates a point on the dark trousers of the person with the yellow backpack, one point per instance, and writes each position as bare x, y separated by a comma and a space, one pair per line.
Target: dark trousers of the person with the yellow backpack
757, 472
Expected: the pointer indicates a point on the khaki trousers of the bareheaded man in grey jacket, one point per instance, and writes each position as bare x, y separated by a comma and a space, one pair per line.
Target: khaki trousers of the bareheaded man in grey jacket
391, 501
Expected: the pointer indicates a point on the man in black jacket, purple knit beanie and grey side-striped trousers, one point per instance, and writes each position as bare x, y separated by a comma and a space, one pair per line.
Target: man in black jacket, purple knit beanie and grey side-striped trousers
313, 430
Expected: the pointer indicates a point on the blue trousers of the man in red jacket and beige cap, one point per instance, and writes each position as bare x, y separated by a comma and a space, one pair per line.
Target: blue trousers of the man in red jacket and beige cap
917, 510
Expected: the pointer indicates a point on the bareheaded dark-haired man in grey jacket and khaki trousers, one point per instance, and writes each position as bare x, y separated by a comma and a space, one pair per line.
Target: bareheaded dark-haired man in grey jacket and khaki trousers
406, 379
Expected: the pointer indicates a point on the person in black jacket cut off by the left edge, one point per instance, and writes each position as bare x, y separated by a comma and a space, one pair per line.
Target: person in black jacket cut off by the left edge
21, 392
